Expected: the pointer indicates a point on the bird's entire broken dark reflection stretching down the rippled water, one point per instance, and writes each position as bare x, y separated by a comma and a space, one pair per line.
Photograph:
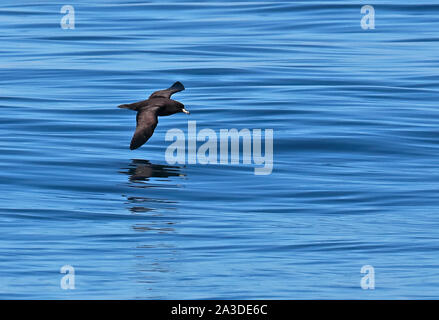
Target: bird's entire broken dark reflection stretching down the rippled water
148, 197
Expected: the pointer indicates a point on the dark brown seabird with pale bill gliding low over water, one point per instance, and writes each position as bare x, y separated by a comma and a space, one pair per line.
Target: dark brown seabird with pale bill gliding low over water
158, 104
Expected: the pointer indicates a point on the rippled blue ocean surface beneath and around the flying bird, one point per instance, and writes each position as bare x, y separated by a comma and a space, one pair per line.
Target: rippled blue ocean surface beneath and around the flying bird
355, 179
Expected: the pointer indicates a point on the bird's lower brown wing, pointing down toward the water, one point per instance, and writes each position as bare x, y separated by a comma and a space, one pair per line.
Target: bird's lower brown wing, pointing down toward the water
146, 123
